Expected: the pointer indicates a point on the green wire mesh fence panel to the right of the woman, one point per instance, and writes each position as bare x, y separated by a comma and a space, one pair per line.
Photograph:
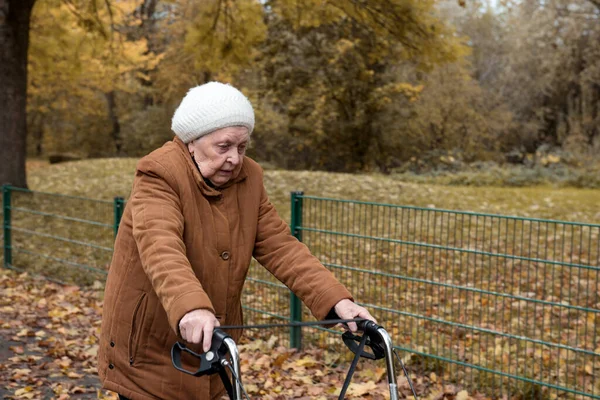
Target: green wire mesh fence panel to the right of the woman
507, 304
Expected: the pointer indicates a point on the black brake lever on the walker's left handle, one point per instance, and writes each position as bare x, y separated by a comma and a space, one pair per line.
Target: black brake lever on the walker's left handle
210, 361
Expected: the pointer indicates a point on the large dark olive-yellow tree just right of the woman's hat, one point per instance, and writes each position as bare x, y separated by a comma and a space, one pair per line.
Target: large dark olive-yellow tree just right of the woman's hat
332, 66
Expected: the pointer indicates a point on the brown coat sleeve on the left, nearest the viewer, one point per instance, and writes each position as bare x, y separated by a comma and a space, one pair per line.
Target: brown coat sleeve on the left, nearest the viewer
158, 231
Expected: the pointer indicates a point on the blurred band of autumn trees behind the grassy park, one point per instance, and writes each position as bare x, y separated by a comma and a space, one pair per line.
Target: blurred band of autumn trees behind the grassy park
348, 86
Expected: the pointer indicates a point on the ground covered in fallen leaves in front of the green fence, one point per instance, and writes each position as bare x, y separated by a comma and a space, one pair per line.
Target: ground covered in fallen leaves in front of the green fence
49, 343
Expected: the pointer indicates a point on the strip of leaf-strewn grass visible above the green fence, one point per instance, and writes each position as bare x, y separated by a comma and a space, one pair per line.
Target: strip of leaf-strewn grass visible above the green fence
107, 178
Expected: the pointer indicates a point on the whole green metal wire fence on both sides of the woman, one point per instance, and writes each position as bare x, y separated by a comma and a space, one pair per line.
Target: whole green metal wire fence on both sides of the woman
504, 304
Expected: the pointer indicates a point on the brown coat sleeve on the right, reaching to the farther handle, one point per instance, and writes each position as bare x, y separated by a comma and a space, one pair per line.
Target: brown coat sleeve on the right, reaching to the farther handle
291, 262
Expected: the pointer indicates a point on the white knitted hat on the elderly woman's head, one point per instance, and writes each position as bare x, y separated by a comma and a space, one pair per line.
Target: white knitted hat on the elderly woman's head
209, 107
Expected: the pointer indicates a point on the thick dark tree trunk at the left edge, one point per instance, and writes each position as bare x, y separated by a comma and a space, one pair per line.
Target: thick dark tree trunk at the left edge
15, 16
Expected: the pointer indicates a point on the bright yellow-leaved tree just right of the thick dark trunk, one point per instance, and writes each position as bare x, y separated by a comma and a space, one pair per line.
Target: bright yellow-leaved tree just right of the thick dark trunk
88, 68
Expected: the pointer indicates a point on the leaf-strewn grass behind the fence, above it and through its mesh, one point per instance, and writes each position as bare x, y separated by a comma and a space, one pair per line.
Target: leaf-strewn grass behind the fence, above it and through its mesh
104, 179
